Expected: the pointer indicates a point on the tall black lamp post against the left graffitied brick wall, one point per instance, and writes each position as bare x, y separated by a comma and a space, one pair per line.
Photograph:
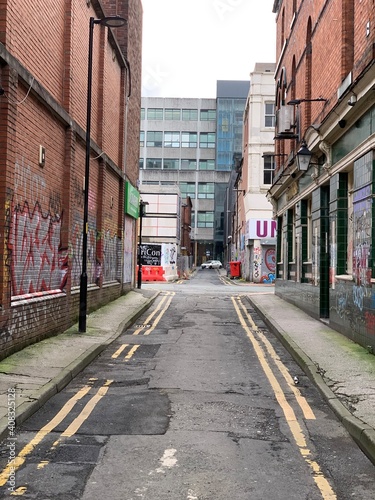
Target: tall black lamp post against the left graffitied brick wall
111, 22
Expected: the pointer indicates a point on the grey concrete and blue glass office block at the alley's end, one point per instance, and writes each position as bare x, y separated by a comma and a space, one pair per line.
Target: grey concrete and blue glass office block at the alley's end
191, 143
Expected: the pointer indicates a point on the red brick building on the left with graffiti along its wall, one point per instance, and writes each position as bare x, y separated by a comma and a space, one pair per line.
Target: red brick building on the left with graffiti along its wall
43, 107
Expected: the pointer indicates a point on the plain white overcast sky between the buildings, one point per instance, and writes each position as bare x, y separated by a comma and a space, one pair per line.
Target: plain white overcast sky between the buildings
190, 44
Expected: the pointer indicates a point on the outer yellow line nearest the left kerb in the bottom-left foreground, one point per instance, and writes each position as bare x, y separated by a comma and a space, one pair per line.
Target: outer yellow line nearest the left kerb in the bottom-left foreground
27, 449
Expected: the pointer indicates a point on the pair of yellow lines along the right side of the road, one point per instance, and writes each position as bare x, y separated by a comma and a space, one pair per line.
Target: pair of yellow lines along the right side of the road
250, 328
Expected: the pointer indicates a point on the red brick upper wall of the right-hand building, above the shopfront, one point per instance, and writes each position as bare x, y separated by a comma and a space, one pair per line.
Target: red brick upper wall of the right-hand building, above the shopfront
339, 44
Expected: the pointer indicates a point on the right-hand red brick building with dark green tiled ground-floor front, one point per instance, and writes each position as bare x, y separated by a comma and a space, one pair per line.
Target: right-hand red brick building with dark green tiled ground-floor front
325, 105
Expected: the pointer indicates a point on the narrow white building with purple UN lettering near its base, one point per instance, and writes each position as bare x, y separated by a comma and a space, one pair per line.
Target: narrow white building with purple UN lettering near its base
255, 238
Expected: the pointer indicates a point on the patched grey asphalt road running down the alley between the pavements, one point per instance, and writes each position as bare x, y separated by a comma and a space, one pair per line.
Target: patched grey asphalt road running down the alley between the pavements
197, 401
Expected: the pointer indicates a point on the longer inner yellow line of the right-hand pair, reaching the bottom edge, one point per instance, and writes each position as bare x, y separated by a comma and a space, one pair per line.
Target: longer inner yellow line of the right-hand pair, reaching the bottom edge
294, 426
